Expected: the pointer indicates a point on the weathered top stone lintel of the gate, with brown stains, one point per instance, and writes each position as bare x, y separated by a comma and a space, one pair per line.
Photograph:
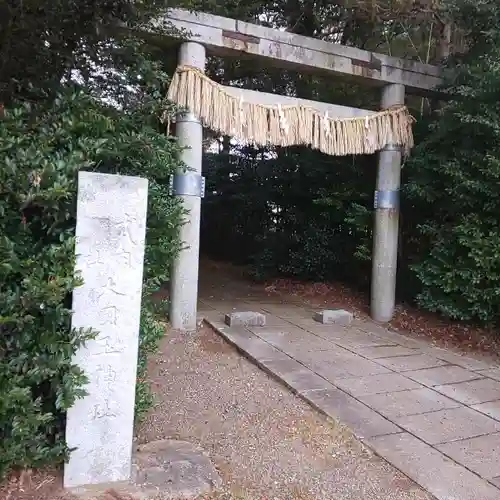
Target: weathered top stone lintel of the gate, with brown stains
223, 36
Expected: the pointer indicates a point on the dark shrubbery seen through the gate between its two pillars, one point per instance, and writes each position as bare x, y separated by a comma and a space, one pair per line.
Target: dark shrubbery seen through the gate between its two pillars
295, 213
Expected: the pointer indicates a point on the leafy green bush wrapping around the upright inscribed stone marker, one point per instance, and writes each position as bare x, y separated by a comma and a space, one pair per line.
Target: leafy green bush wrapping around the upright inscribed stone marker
43, 147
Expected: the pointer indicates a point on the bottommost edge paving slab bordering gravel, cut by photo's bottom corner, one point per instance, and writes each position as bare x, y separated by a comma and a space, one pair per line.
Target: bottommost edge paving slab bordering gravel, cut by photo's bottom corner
441, 476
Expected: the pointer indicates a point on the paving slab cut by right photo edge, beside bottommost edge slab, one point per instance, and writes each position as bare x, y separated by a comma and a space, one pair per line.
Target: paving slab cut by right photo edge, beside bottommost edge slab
480, 454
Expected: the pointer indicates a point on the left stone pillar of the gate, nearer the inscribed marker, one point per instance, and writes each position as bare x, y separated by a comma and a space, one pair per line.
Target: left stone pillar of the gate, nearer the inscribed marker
189, 186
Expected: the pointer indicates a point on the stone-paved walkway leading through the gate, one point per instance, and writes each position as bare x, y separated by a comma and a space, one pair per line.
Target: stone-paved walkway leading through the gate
432, 413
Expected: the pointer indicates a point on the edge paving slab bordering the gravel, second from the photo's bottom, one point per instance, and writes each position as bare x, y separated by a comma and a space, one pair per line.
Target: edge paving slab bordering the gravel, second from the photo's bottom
362, 420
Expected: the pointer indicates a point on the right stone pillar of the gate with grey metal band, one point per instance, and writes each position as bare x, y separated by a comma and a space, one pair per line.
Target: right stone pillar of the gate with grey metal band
386, 223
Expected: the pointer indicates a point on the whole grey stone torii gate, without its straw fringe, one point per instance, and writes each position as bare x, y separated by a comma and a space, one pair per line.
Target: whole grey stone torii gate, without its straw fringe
227, 37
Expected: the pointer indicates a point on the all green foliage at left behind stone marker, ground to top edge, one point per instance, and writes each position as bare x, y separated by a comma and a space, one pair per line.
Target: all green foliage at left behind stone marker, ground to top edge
76, 96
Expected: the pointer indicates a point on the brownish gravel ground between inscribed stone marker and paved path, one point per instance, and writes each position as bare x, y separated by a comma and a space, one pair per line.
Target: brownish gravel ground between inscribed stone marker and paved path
266, 442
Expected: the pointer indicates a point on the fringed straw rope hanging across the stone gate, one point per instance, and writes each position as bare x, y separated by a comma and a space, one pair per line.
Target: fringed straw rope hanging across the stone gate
287, 125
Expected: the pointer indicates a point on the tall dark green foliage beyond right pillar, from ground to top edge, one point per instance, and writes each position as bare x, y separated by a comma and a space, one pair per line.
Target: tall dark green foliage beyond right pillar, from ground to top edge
454, 181
